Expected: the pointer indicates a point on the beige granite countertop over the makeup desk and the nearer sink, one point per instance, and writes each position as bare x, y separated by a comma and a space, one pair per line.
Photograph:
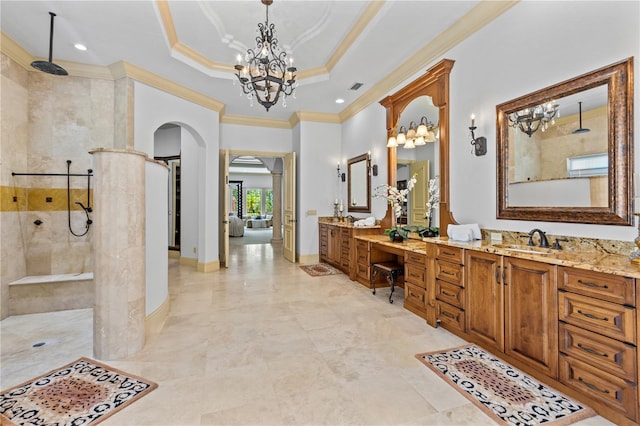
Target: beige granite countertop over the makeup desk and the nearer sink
593, 261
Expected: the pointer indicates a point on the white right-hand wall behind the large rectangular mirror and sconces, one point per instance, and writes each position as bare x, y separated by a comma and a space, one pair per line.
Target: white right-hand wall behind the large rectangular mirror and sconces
529, 47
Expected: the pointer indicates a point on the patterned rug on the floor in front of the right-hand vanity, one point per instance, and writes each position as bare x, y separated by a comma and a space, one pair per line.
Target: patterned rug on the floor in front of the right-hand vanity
501, 391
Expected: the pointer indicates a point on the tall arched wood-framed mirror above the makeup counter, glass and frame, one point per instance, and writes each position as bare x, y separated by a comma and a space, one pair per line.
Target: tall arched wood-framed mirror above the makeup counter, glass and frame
428, 97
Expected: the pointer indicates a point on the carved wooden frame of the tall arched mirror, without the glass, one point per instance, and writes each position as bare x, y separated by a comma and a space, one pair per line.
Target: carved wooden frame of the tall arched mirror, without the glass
435, 85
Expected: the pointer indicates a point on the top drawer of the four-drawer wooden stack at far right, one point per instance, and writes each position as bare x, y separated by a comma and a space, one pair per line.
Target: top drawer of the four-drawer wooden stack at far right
614, 288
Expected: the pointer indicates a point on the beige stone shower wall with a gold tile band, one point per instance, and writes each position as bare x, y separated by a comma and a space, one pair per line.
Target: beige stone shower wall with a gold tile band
45, 121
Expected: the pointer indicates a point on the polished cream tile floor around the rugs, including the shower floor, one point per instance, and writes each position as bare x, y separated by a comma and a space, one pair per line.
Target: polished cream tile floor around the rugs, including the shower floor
263, 343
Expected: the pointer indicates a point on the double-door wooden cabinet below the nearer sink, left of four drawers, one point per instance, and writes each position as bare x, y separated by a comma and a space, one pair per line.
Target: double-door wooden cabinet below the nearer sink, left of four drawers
511, 308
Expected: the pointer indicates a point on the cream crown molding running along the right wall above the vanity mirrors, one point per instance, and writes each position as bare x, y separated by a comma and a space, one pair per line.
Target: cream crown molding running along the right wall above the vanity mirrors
478, 17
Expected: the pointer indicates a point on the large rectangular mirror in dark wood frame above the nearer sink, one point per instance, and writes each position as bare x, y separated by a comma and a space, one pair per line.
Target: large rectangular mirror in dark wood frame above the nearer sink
565, 152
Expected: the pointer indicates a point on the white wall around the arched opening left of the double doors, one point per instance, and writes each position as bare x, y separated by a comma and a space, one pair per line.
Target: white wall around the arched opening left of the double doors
154, 108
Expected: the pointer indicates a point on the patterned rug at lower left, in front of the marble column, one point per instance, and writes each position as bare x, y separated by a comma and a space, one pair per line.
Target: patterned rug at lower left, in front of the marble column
82, 392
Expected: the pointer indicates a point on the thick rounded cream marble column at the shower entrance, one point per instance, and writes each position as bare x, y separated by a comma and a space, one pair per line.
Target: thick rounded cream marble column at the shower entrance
119, 253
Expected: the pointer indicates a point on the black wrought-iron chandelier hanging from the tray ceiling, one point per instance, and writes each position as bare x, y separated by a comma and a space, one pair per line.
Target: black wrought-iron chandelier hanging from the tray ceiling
266, 75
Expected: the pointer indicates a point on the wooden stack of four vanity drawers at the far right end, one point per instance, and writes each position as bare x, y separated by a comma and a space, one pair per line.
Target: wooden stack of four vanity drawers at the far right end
598, 338
